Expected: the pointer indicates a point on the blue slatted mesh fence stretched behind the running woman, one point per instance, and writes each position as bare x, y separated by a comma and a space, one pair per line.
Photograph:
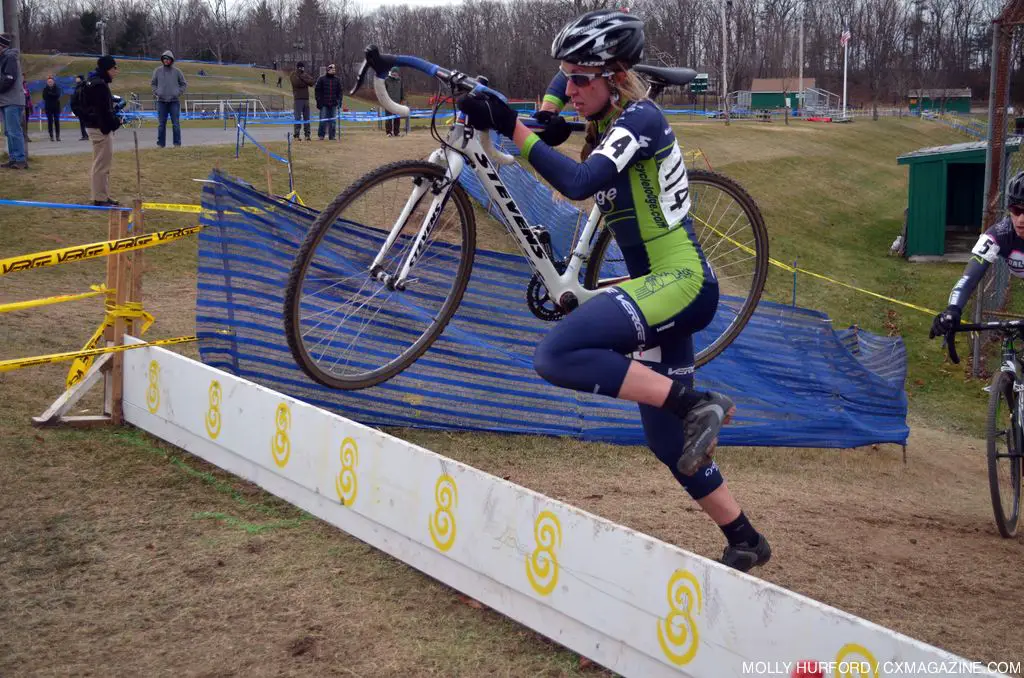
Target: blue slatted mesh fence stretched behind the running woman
798, 383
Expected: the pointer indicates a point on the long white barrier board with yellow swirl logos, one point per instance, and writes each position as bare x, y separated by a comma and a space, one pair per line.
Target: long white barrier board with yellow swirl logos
628, 602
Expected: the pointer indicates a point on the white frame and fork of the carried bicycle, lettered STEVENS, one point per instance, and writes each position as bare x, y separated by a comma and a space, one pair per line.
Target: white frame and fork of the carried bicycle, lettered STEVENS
533, 240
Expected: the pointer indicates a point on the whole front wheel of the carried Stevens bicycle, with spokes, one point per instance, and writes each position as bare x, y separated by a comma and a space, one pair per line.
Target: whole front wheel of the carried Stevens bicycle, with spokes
347, 327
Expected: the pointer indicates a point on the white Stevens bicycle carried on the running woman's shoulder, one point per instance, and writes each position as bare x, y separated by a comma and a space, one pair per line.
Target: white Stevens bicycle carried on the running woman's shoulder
416, 258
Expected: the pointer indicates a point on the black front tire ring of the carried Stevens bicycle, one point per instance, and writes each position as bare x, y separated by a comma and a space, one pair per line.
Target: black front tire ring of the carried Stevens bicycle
317, 234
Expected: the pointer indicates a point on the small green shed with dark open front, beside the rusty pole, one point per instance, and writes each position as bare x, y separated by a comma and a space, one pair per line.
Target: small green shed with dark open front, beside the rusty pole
946, 197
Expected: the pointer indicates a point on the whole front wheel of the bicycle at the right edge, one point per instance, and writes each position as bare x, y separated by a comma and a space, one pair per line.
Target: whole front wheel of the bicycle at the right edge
1004, 454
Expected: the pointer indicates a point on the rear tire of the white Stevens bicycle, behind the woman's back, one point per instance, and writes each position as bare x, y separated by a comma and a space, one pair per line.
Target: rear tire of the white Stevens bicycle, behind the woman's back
750, 208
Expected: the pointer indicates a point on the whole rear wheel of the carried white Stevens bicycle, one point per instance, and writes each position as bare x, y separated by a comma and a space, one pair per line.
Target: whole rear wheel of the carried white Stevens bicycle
733, 235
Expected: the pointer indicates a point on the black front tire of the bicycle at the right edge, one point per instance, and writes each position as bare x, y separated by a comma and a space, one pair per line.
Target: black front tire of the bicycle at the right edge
1002, 391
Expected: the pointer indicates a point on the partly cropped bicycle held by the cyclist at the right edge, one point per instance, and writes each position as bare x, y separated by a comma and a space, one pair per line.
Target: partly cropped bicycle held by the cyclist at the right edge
1004, 430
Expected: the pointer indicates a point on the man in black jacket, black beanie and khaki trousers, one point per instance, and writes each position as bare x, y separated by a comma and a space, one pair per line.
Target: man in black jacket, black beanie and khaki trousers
101, 123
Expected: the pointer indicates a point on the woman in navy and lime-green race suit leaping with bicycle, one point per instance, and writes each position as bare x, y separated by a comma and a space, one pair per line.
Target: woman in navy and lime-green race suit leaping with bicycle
636, 175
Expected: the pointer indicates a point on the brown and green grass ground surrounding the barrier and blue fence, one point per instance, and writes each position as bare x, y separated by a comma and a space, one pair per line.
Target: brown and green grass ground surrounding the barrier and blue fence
120, 555
